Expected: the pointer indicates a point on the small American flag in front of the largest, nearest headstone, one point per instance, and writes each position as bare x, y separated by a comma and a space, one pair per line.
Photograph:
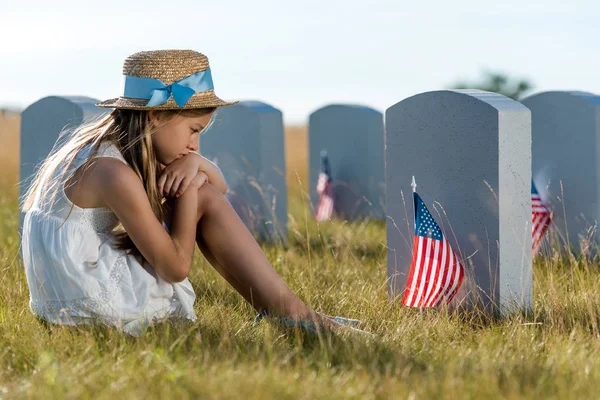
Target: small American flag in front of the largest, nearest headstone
435, 273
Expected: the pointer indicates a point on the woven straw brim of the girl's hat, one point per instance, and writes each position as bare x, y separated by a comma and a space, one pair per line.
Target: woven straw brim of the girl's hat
206, 99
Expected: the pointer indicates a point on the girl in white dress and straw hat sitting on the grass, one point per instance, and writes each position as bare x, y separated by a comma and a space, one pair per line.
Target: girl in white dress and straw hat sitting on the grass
113, 215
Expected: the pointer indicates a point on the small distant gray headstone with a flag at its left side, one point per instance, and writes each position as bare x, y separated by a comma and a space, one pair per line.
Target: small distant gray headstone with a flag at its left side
353, 138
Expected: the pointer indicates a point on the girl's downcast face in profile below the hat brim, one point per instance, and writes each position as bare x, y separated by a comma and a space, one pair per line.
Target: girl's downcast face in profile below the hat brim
174, 139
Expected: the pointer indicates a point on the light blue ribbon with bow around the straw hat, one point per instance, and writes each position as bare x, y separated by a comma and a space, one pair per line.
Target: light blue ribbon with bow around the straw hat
158, 93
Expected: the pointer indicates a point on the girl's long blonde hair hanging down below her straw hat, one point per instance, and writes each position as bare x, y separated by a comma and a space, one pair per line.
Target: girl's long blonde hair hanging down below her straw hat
131, 133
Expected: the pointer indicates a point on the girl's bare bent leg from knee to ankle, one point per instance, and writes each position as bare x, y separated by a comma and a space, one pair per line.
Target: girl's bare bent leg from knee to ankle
234, 250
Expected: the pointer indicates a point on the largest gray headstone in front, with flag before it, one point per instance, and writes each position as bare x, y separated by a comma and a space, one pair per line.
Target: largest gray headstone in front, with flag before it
470, 152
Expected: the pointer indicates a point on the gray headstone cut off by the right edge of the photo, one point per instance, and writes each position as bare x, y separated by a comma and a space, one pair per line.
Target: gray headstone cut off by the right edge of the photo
565, 137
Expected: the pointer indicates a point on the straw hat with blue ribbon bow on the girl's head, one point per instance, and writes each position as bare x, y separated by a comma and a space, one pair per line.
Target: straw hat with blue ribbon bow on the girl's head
170, 73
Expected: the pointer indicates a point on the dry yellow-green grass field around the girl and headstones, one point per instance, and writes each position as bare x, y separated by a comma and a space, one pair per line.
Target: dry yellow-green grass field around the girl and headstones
339, 268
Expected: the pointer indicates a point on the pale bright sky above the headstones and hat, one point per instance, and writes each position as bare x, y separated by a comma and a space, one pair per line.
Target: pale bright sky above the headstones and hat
300, 55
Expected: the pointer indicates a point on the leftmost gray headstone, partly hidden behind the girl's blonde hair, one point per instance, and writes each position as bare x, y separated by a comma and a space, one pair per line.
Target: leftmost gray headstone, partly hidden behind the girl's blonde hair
41, 124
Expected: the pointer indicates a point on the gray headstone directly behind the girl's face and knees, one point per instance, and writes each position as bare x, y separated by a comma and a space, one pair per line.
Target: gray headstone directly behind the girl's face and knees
247, 142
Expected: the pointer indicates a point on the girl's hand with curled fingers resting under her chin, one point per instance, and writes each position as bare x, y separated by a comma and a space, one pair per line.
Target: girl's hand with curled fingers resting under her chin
177, 176
